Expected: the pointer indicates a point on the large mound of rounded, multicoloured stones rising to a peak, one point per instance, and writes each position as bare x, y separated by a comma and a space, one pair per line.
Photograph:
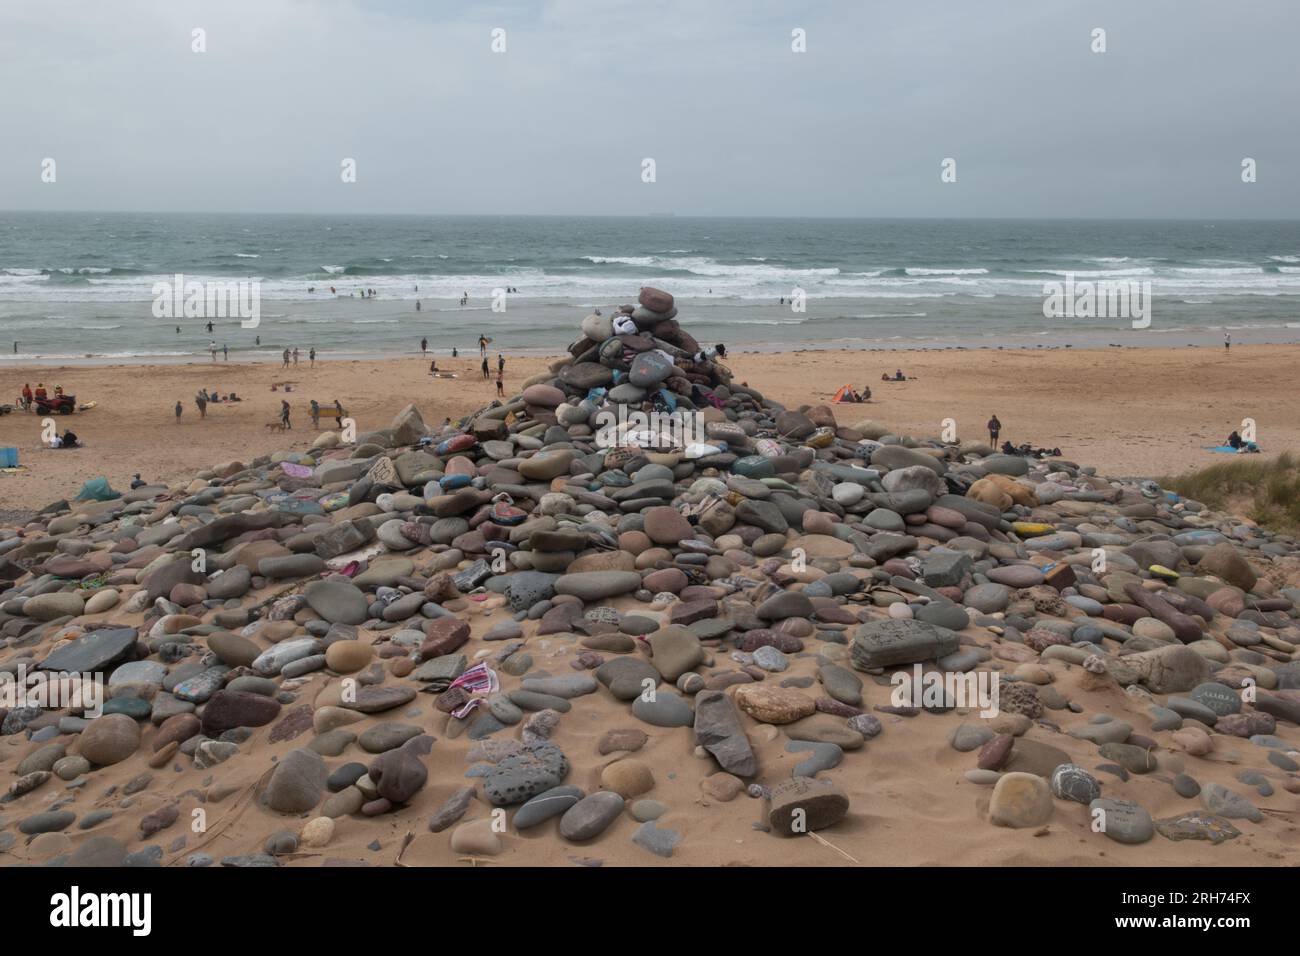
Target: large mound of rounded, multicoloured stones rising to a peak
313, 596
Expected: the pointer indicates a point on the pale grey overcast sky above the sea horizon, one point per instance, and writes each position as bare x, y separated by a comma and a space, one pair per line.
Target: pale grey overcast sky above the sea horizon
710, 90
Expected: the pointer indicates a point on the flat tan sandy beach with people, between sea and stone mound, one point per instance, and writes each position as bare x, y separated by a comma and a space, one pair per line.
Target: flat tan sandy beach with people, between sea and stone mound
1125, 412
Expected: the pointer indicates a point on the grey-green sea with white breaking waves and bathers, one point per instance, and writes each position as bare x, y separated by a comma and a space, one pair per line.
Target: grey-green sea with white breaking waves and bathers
85, 288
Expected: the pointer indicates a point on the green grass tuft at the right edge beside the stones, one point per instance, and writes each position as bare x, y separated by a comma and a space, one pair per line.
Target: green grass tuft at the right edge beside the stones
1268, 492
